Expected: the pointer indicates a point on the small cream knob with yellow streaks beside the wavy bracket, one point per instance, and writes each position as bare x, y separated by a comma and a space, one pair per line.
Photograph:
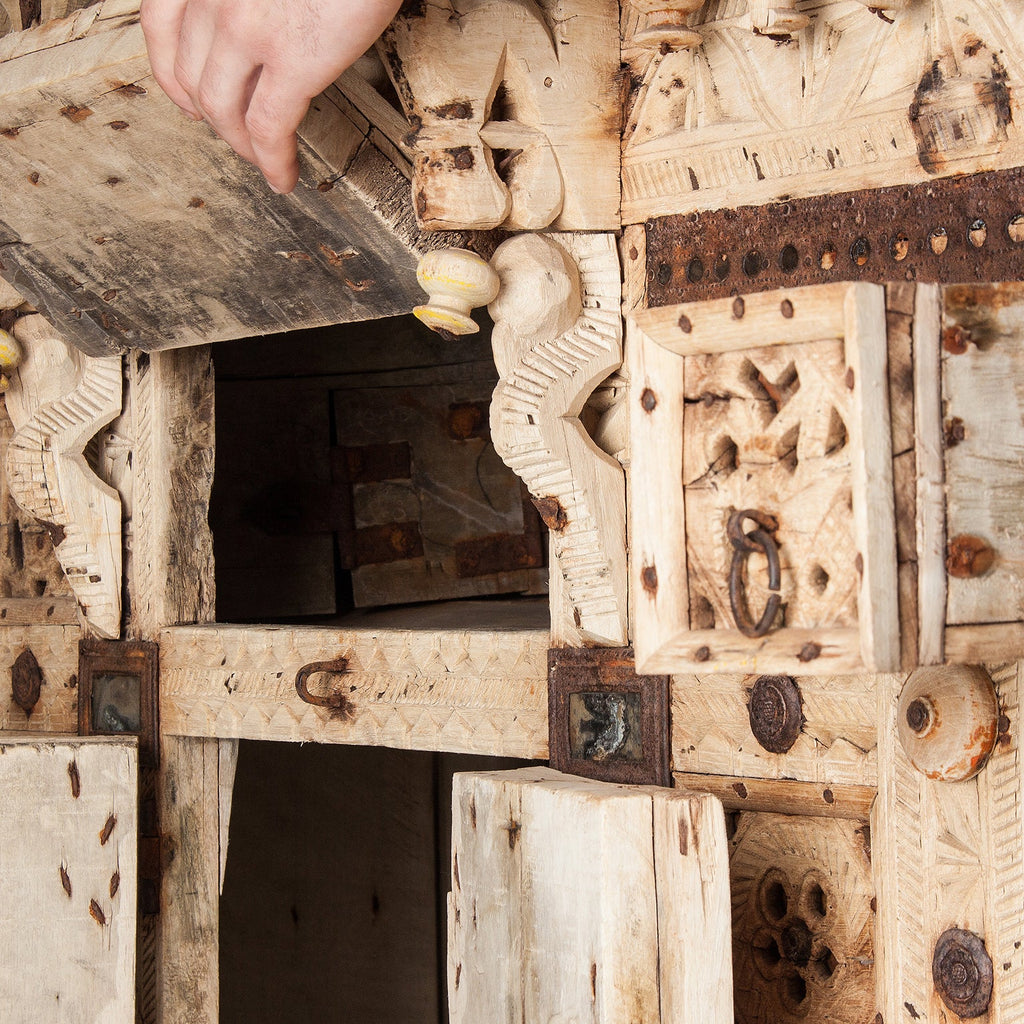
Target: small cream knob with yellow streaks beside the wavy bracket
457, 281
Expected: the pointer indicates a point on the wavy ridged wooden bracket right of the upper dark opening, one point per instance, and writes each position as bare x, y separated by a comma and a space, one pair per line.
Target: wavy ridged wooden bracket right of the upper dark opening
558, 335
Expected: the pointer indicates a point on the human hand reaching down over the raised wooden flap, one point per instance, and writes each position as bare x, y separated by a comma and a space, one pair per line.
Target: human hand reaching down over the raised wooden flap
249, 68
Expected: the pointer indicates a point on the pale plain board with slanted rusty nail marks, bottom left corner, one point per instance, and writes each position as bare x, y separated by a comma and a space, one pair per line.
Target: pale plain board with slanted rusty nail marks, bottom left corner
67, 894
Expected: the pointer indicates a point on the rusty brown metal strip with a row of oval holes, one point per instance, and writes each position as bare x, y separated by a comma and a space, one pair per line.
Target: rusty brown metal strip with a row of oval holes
948, 231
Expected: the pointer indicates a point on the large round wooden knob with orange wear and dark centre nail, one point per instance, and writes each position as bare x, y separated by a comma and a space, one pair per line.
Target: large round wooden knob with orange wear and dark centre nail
949, 721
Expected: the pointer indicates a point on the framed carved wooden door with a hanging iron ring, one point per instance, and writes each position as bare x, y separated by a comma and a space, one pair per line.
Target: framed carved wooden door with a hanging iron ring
761, 485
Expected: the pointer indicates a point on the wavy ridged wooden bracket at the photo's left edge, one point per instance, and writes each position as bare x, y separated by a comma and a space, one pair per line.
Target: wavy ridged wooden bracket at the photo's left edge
58, 401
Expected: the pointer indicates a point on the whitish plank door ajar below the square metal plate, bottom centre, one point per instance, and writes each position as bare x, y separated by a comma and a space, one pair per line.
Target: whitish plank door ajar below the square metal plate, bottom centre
583, 902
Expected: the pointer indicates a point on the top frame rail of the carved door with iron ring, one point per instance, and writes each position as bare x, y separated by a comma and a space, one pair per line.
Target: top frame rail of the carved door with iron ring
748, 322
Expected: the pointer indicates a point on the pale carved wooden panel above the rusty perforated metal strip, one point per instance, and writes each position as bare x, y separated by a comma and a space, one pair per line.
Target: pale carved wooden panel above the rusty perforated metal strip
851, 102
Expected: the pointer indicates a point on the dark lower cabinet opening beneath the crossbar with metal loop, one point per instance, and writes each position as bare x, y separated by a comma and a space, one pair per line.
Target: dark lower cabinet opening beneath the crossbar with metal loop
336, 884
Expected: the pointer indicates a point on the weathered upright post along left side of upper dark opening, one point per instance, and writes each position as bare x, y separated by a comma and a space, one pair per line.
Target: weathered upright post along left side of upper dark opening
170, 430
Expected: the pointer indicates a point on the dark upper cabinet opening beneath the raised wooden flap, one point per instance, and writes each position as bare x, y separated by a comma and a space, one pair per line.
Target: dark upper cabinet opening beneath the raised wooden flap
357, 482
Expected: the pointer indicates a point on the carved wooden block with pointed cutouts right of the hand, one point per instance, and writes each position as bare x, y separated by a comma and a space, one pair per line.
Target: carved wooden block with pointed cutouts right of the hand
518, 125
